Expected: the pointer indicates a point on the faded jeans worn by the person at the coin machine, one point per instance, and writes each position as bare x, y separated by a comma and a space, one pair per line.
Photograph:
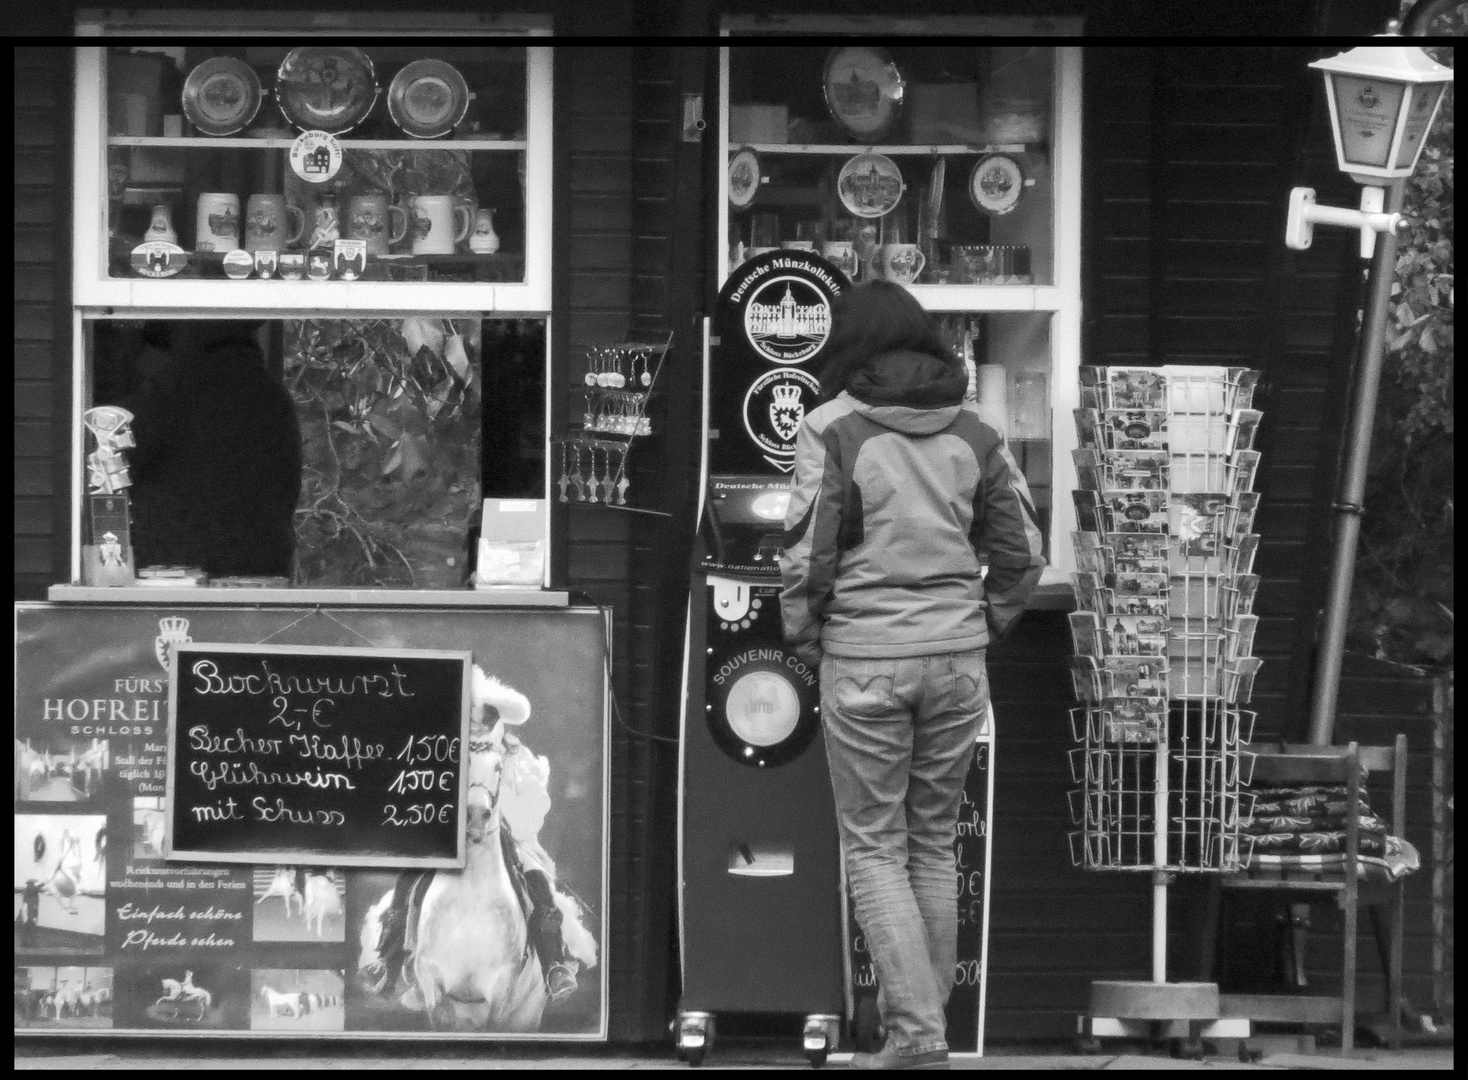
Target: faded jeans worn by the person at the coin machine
899, 740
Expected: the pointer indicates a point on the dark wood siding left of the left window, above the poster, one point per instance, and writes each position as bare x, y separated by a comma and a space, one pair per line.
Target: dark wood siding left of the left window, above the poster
43, 338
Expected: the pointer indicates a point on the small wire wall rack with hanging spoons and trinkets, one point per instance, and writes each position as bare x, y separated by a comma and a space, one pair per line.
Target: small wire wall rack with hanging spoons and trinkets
592, 459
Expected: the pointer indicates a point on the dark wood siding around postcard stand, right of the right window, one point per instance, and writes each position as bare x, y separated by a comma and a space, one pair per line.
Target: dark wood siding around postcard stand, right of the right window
1184, 263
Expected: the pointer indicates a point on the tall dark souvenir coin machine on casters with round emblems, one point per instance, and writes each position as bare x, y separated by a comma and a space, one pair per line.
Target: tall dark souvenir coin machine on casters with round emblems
761, 908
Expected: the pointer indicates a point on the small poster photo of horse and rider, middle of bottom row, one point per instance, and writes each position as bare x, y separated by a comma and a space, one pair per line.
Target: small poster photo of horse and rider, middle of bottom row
183, 996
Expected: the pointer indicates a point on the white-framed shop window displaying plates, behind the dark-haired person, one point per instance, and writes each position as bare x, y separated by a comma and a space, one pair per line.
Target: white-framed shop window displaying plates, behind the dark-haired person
953, 171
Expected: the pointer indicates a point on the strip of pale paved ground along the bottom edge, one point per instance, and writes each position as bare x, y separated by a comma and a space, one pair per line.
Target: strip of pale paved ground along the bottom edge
57, 1054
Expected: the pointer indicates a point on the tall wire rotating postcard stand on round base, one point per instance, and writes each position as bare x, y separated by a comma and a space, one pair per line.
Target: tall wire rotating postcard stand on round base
1163, 641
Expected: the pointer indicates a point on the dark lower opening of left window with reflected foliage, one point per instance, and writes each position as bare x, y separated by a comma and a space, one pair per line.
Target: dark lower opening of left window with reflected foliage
382, 435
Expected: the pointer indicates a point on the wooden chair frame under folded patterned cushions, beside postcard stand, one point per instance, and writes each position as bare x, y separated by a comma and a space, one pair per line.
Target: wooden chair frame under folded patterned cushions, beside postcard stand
1290, 765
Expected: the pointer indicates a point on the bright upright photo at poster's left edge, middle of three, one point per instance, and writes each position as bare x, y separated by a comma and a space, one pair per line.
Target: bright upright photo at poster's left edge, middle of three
61, 884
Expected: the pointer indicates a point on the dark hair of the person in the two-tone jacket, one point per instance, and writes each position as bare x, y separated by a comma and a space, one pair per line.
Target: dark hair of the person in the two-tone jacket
870, 321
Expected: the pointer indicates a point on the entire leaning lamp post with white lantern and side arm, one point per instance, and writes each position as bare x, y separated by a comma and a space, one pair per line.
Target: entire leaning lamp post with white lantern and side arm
1384, 101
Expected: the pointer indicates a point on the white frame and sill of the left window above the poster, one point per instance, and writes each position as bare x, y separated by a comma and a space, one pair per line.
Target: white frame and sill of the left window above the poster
96, 296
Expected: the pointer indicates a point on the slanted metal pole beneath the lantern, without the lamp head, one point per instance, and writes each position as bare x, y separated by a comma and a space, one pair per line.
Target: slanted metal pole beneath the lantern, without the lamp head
1354, 479
